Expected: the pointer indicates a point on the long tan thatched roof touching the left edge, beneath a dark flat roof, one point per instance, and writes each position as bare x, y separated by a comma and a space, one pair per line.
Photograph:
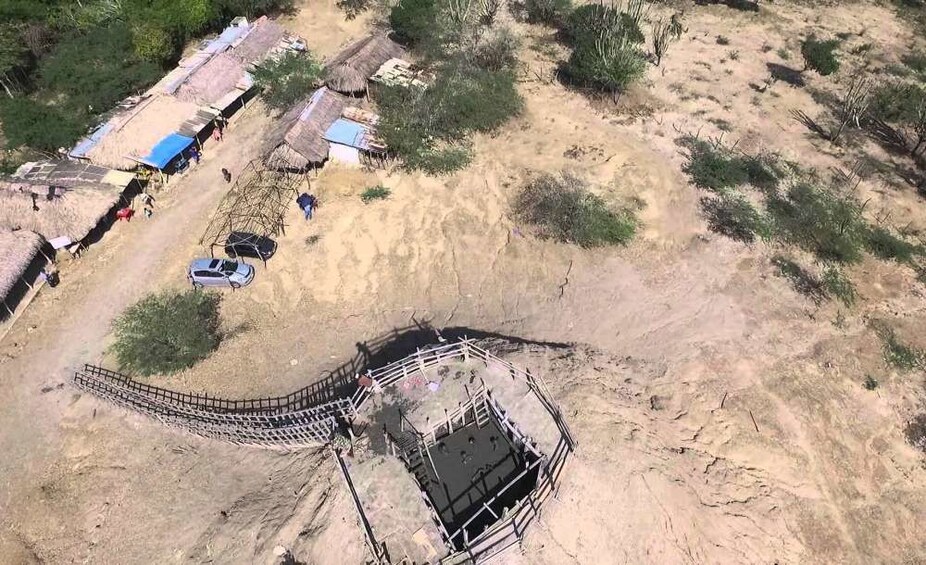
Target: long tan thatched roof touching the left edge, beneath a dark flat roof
50, 212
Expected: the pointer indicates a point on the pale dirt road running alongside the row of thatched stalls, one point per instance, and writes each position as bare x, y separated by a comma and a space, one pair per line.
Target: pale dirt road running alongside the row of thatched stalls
67, 326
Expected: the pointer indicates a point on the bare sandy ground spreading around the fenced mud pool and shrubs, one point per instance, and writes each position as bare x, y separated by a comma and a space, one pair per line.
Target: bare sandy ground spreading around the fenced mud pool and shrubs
720, 415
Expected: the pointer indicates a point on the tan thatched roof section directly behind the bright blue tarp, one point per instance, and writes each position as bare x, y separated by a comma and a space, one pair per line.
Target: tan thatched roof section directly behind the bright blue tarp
136, 131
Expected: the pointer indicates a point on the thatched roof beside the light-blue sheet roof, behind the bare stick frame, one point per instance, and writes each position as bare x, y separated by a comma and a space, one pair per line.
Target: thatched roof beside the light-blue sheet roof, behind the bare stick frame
299, 137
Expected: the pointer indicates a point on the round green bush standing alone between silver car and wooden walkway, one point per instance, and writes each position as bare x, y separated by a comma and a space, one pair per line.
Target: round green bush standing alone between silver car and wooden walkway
167, 332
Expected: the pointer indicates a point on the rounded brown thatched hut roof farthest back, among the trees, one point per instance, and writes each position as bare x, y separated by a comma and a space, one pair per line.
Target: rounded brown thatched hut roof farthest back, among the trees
349, 70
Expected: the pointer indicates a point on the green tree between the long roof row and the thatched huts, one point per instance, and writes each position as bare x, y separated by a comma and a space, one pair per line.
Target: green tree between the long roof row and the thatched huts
287, 80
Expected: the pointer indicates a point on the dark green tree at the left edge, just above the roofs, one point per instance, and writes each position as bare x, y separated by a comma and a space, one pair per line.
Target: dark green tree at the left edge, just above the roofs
33, 124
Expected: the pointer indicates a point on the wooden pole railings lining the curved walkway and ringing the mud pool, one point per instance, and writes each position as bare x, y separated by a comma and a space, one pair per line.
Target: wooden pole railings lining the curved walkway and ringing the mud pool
295, 421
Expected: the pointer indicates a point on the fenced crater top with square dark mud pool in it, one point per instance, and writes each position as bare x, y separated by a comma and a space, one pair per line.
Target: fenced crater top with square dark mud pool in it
461, 450
